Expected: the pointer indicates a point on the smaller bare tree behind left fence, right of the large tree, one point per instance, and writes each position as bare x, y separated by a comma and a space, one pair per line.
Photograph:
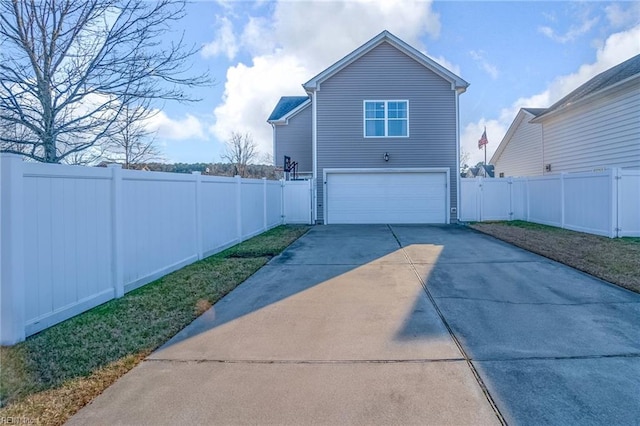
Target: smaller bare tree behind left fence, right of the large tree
132, 144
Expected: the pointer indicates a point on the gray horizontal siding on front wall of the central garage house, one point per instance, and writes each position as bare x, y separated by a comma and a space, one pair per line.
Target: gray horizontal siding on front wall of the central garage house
385, 73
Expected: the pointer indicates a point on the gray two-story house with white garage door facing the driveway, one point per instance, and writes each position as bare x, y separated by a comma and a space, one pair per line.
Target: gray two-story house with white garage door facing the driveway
384, 139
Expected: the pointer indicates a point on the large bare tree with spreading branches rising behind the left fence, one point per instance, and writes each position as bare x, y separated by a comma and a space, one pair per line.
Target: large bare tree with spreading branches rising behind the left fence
69, 69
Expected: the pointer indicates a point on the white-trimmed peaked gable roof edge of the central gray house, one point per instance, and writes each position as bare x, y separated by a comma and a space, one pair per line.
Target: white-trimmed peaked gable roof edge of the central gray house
386, 37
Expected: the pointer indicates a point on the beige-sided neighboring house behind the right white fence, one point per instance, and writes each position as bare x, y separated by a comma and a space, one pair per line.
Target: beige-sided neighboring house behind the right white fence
594, 127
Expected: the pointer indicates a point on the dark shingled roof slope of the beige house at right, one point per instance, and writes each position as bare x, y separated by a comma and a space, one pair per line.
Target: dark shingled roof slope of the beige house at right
599, 83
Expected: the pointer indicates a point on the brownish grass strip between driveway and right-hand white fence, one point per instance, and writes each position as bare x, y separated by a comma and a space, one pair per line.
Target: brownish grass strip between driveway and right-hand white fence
616, 260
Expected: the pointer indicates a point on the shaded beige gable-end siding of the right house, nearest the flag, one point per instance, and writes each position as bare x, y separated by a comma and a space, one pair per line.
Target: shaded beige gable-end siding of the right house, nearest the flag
523, 154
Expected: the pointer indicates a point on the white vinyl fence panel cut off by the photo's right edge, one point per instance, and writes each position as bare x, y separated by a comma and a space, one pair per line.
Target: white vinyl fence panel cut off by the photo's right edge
629, 203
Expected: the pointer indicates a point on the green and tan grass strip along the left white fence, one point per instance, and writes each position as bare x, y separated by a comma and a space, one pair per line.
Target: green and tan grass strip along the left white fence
51, 375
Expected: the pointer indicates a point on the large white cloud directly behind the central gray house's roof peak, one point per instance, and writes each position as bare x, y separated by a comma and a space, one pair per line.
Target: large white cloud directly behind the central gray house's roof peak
297, 41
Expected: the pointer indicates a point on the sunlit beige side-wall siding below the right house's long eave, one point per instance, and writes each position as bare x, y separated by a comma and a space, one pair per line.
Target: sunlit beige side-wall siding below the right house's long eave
602, 133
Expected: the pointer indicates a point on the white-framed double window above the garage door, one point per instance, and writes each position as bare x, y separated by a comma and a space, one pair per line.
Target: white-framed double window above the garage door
386, 119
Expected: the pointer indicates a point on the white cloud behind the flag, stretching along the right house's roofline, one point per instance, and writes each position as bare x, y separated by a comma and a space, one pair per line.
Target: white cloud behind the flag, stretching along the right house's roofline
617, 48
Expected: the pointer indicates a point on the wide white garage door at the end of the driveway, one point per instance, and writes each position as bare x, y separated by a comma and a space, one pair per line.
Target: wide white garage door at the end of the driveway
386, 197
